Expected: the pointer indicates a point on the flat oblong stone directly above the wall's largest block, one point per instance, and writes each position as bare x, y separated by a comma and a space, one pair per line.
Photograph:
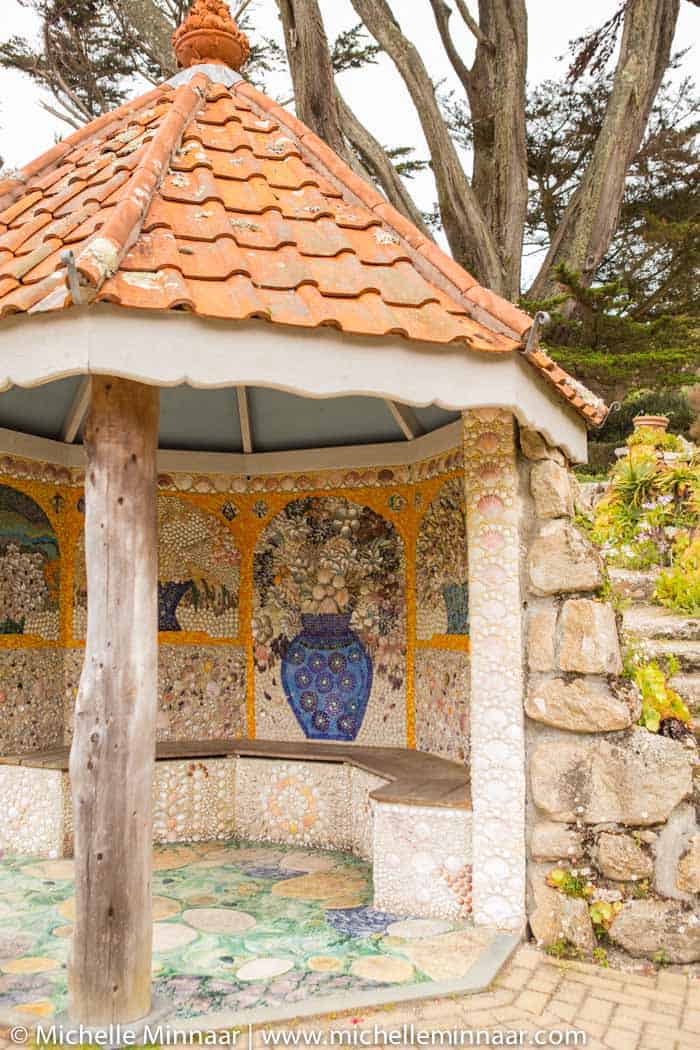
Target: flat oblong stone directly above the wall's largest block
584, 706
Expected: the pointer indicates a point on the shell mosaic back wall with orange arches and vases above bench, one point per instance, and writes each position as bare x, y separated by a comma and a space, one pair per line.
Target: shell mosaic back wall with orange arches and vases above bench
378, 557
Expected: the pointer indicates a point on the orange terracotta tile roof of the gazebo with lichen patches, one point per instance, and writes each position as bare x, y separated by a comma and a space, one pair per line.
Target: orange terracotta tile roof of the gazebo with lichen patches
214, 199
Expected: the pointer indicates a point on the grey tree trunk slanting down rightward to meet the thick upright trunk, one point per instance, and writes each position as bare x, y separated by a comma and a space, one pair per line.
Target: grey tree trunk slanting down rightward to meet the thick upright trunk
465, 225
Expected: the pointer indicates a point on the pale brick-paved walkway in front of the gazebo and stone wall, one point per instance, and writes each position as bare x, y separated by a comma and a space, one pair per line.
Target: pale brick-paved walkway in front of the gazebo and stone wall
536, 995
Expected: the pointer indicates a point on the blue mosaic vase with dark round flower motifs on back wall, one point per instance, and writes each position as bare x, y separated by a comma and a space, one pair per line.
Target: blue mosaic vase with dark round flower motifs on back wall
327, 677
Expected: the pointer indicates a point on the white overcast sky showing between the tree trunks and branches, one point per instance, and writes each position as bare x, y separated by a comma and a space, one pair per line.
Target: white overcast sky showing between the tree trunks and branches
376, 93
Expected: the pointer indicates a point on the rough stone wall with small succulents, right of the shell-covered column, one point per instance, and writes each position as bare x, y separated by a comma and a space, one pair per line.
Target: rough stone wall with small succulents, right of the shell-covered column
612, 809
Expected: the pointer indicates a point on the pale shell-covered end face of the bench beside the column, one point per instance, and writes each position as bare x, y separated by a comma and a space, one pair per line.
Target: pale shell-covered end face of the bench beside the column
423, 860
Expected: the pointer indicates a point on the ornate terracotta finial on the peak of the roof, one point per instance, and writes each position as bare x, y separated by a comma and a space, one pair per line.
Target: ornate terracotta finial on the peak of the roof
209, 34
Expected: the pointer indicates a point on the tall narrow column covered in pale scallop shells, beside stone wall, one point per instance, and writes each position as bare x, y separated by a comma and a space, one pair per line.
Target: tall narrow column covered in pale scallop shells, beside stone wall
498, 740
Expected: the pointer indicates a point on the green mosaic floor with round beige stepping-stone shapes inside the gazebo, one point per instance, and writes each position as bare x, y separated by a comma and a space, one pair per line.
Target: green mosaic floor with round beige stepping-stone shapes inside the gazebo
240, 930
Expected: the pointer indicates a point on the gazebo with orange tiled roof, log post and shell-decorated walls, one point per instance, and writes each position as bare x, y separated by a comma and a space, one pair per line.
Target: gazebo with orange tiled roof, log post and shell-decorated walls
254, 419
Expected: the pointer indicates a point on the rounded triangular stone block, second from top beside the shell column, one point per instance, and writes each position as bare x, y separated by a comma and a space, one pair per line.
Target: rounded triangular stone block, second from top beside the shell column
564, 561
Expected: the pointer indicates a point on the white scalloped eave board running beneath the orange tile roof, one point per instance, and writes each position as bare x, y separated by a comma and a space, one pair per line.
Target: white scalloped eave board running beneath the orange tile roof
173, 348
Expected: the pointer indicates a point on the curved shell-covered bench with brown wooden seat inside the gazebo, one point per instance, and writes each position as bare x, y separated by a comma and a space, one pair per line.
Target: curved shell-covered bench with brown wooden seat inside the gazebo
406, 812
